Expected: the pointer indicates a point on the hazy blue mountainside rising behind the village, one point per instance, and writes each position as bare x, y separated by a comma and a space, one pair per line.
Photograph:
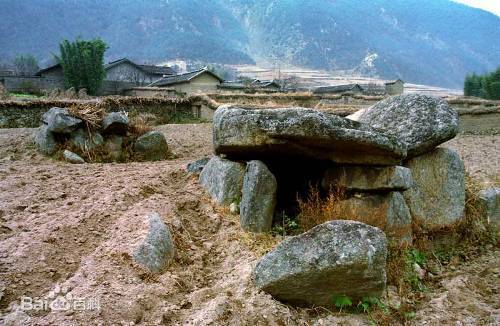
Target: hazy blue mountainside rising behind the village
434, 42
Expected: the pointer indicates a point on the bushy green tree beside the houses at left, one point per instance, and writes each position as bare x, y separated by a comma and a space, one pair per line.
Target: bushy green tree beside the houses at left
83, 64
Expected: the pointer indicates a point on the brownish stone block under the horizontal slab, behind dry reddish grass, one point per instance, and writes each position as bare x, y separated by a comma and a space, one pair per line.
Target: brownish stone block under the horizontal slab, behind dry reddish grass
388, 211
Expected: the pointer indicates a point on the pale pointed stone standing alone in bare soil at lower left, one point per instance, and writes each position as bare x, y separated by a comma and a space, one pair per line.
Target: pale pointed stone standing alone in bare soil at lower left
157, 249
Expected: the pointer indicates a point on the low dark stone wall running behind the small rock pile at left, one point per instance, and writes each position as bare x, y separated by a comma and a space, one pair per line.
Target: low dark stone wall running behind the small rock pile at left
14, 114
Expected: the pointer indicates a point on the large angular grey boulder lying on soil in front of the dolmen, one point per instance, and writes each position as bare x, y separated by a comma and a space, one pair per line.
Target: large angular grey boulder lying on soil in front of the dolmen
332, 259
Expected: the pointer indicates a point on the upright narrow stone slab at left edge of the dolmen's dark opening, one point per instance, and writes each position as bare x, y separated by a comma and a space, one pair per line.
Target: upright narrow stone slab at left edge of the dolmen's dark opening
258, 198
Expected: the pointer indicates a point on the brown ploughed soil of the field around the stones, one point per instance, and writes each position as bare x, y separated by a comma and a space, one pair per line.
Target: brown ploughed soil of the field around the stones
66, 230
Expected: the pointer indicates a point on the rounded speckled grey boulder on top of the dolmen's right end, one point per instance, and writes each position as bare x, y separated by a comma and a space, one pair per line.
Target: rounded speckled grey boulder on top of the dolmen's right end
422, 122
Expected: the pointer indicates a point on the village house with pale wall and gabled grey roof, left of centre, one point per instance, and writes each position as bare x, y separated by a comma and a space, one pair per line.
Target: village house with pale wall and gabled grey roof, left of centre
202, 80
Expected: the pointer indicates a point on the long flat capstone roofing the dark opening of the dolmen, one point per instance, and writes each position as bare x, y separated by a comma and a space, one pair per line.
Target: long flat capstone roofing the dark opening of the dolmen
248, 133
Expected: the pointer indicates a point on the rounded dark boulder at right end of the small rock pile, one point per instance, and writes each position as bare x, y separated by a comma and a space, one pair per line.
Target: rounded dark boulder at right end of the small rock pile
152, 146
